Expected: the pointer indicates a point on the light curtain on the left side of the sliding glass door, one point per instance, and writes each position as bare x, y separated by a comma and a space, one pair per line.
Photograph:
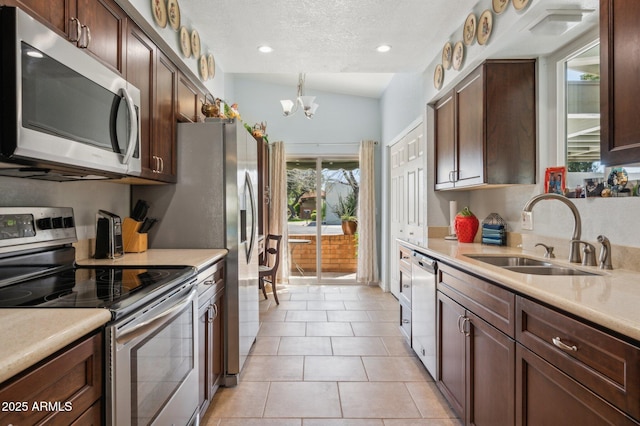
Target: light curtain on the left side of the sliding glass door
278, 205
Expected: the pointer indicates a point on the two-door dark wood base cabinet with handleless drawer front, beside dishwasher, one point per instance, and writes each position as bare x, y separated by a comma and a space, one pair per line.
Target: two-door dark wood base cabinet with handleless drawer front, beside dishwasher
476, 360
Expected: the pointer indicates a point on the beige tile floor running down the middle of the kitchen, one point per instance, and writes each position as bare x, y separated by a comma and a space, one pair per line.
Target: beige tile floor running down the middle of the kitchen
331, 355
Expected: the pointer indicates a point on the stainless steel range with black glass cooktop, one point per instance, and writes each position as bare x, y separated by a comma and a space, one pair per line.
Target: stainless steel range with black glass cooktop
151, 342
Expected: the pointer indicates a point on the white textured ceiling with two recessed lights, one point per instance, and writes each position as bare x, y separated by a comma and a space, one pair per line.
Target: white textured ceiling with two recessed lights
336, 39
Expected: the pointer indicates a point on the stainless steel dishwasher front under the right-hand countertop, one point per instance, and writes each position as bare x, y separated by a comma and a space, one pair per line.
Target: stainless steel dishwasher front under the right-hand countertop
423, 308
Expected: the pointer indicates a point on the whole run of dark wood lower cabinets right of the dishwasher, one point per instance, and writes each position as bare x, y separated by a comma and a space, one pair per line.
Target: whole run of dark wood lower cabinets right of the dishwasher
506, 359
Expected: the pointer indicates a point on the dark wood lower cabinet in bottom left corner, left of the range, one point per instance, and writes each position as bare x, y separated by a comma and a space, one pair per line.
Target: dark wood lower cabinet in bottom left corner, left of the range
72, 379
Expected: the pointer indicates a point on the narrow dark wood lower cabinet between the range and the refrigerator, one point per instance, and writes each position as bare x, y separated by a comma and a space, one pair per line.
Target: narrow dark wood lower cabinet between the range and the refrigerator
210, 336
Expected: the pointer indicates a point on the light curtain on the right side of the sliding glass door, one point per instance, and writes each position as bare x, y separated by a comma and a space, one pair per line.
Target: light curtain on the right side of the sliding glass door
367, 254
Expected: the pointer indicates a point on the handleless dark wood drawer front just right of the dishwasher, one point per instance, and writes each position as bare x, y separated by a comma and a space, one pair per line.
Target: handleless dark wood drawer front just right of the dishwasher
493, 304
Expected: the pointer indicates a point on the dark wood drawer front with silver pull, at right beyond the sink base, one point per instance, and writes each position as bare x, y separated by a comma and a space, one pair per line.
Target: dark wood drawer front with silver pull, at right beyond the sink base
606, 365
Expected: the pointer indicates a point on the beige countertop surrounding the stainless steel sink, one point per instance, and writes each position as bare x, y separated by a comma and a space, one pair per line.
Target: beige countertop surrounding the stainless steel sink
610, 299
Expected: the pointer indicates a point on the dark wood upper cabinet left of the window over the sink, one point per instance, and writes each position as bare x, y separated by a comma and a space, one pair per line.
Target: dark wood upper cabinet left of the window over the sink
485, 128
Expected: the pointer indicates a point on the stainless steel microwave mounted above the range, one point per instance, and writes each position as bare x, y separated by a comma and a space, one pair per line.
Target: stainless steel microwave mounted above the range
61, 109
